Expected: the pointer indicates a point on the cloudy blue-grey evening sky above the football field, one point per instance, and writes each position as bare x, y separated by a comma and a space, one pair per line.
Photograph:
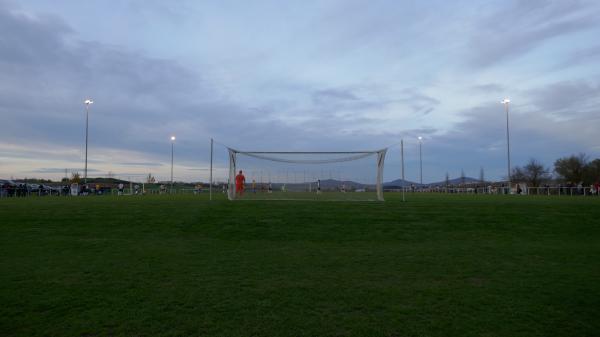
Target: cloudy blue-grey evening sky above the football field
295, 76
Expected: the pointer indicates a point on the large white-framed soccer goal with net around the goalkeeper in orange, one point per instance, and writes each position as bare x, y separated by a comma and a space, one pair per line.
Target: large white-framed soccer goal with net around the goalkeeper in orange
351, 175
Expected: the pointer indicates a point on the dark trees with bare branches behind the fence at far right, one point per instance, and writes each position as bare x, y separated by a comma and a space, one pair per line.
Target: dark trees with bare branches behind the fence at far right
574, 169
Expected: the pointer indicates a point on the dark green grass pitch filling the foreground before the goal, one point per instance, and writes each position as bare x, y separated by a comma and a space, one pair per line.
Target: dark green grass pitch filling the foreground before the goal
168, 266
